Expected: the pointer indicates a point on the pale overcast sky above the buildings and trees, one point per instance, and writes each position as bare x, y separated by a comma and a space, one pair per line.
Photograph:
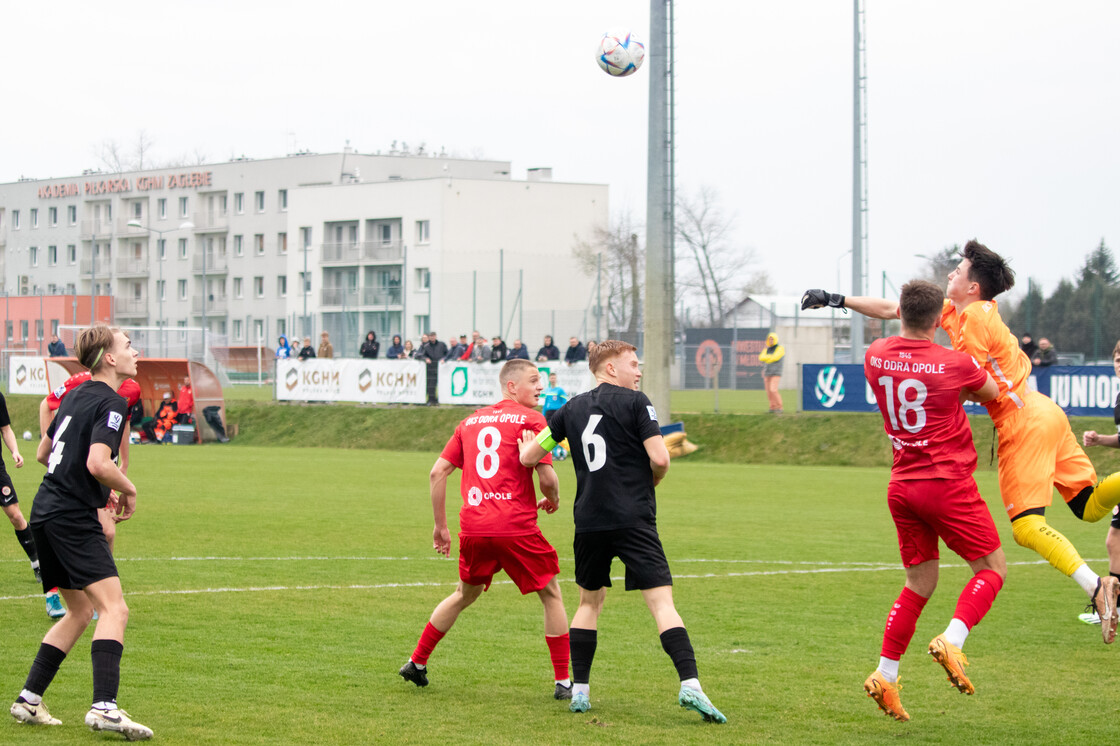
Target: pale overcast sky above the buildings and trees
990, 119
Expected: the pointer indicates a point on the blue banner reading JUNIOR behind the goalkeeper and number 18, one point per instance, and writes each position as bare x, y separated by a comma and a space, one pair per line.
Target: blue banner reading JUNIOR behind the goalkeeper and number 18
1079, 390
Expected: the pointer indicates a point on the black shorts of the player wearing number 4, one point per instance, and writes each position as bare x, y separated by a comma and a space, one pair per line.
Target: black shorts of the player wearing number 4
73, 552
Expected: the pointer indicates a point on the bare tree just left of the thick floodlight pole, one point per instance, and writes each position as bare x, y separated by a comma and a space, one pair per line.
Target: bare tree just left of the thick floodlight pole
621, 257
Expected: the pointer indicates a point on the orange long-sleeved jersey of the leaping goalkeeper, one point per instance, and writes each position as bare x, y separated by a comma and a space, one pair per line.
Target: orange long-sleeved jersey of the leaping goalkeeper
981, 332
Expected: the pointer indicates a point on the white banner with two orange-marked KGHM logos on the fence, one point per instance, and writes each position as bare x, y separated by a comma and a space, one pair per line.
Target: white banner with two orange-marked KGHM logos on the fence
367, 381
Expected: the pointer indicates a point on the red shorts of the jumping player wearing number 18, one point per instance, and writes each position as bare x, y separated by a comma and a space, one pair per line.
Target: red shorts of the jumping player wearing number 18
951, 509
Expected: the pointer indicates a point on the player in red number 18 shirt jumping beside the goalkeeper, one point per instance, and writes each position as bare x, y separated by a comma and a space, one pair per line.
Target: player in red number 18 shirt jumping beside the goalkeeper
919, 387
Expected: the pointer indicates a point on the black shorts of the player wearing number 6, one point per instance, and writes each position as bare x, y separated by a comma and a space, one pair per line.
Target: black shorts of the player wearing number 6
640, 551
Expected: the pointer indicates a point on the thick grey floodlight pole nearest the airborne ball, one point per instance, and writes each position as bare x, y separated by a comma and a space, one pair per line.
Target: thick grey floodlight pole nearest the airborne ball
658, 346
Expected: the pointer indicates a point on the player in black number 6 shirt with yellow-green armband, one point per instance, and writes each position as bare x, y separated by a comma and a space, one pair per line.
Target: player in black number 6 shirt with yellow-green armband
620, 458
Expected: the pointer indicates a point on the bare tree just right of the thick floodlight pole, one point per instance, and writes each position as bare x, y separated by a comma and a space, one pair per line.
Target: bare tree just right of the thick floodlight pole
711, 268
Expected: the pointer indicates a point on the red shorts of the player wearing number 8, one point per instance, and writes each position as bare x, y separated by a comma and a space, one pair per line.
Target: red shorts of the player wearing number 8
529, 561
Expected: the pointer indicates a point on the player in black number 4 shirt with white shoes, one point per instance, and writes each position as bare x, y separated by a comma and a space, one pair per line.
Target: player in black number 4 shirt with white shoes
80, 451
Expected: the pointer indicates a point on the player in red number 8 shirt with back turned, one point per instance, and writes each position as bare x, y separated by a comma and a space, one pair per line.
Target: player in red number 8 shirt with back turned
498, 521
